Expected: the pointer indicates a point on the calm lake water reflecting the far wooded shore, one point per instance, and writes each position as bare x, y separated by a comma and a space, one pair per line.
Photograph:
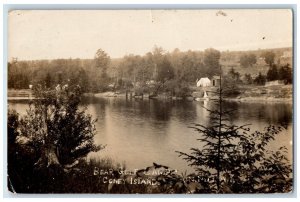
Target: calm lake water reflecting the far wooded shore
140, 132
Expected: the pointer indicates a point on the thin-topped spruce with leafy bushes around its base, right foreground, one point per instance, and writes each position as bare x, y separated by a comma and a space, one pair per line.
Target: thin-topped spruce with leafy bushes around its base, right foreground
236, 160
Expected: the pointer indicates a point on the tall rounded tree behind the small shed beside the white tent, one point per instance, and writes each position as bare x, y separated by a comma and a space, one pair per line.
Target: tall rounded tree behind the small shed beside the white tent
211, 60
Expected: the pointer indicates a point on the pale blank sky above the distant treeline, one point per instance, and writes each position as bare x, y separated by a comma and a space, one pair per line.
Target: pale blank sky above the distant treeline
52, 34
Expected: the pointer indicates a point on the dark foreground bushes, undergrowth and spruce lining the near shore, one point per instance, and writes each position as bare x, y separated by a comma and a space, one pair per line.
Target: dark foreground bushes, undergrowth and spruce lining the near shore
48, 148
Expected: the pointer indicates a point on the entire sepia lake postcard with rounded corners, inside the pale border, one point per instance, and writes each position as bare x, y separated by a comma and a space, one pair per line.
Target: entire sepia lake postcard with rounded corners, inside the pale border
150, 101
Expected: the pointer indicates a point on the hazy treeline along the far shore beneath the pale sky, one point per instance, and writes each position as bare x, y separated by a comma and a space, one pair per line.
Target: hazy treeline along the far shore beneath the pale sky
173, 71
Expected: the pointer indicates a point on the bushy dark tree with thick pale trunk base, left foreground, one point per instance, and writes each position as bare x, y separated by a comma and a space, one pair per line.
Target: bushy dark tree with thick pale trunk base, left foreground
56, 130
